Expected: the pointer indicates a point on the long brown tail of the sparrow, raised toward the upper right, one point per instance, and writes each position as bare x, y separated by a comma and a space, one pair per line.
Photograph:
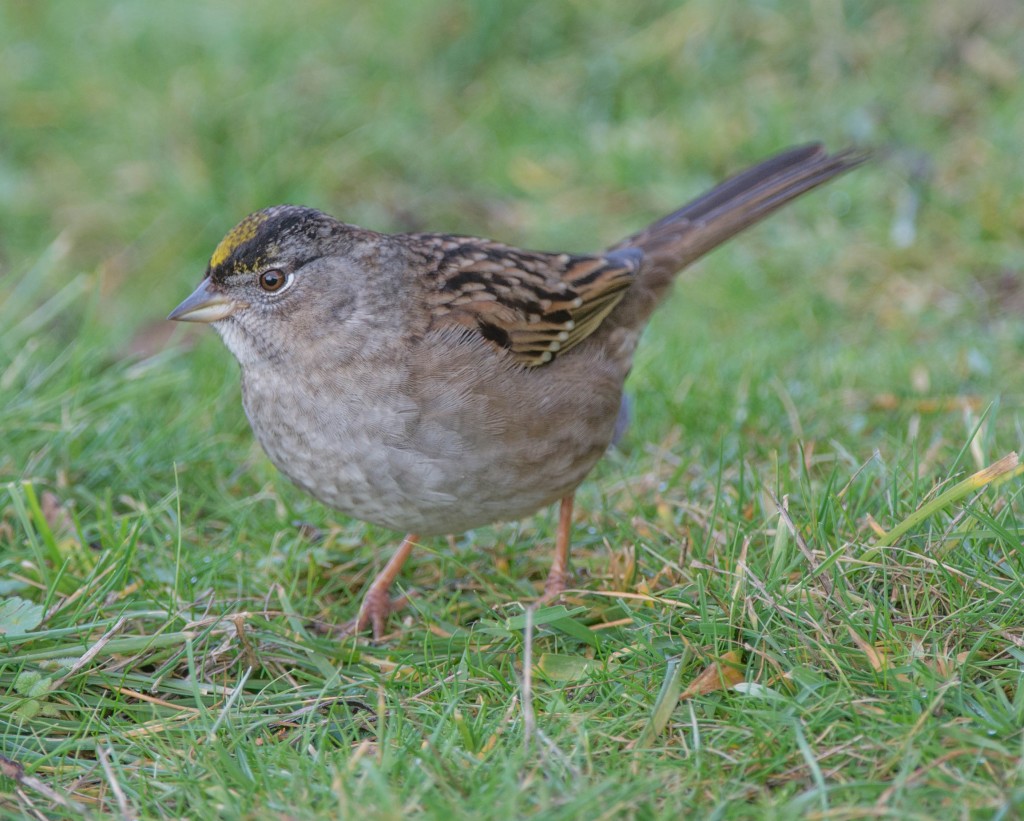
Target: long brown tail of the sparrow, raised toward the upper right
681, 238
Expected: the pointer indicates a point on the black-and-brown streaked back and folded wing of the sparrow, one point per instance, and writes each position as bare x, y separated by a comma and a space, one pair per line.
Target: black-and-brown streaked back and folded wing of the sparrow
533, 305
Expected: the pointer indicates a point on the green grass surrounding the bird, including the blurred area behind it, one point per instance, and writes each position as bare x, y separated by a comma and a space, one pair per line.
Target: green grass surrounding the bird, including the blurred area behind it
790, 598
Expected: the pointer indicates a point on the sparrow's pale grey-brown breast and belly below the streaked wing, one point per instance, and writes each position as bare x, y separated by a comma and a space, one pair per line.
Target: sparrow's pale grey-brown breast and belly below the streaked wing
453, 439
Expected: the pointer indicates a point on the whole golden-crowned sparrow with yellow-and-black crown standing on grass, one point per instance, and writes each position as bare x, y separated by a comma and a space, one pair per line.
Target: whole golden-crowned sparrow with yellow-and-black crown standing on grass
434, 383
